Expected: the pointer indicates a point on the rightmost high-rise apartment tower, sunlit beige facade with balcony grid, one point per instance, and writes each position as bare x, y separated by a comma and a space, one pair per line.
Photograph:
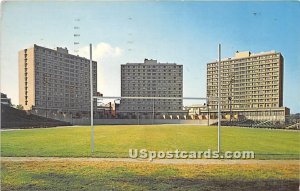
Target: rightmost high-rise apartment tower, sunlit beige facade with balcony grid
251, 86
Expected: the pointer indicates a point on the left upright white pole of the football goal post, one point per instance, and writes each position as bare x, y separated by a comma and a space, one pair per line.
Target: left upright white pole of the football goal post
92, 100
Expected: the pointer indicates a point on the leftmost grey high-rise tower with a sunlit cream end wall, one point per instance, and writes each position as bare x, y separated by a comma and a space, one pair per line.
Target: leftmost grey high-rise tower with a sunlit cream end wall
54, 80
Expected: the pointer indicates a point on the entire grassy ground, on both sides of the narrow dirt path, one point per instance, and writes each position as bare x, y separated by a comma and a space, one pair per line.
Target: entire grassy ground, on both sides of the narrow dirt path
86, 173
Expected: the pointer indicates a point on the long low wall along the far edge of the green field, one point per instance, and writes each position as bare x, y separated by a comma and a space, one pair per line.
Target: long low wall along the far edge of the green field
140, 121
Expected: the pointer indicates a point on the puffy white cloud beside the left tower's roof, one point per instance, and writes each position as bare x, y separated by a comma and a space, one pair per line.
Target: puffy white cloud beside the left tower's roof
101, 51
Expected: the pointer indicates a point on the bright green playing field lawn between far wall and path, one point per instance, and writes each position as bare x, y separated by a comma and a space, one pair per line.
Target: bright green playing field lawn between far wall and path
115, 141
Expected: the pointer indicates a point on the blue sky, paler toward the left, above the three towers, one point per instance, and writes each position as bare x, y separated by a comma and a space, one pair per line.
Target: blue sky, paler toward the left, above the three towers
186, 33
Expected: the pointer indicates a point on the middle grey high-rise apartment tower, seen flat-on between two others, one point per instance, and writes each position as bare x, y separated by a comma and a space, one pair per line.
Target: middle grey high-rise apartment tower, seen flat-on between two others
151, 79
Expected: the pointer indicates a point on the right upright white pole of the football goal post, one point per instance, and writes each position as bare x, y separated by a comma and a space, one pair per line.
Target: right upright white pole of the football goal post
219, 98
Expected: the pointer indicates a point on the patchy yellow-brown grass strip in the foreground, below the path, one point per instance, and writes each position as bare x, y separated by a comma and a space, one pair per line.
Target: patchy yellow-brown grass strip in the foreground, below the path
146, 176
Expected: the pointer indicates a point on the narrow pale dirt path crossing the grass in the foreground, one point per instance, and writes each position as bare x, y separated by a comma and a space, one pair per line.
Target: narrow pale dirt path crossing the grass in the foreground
156, 161
